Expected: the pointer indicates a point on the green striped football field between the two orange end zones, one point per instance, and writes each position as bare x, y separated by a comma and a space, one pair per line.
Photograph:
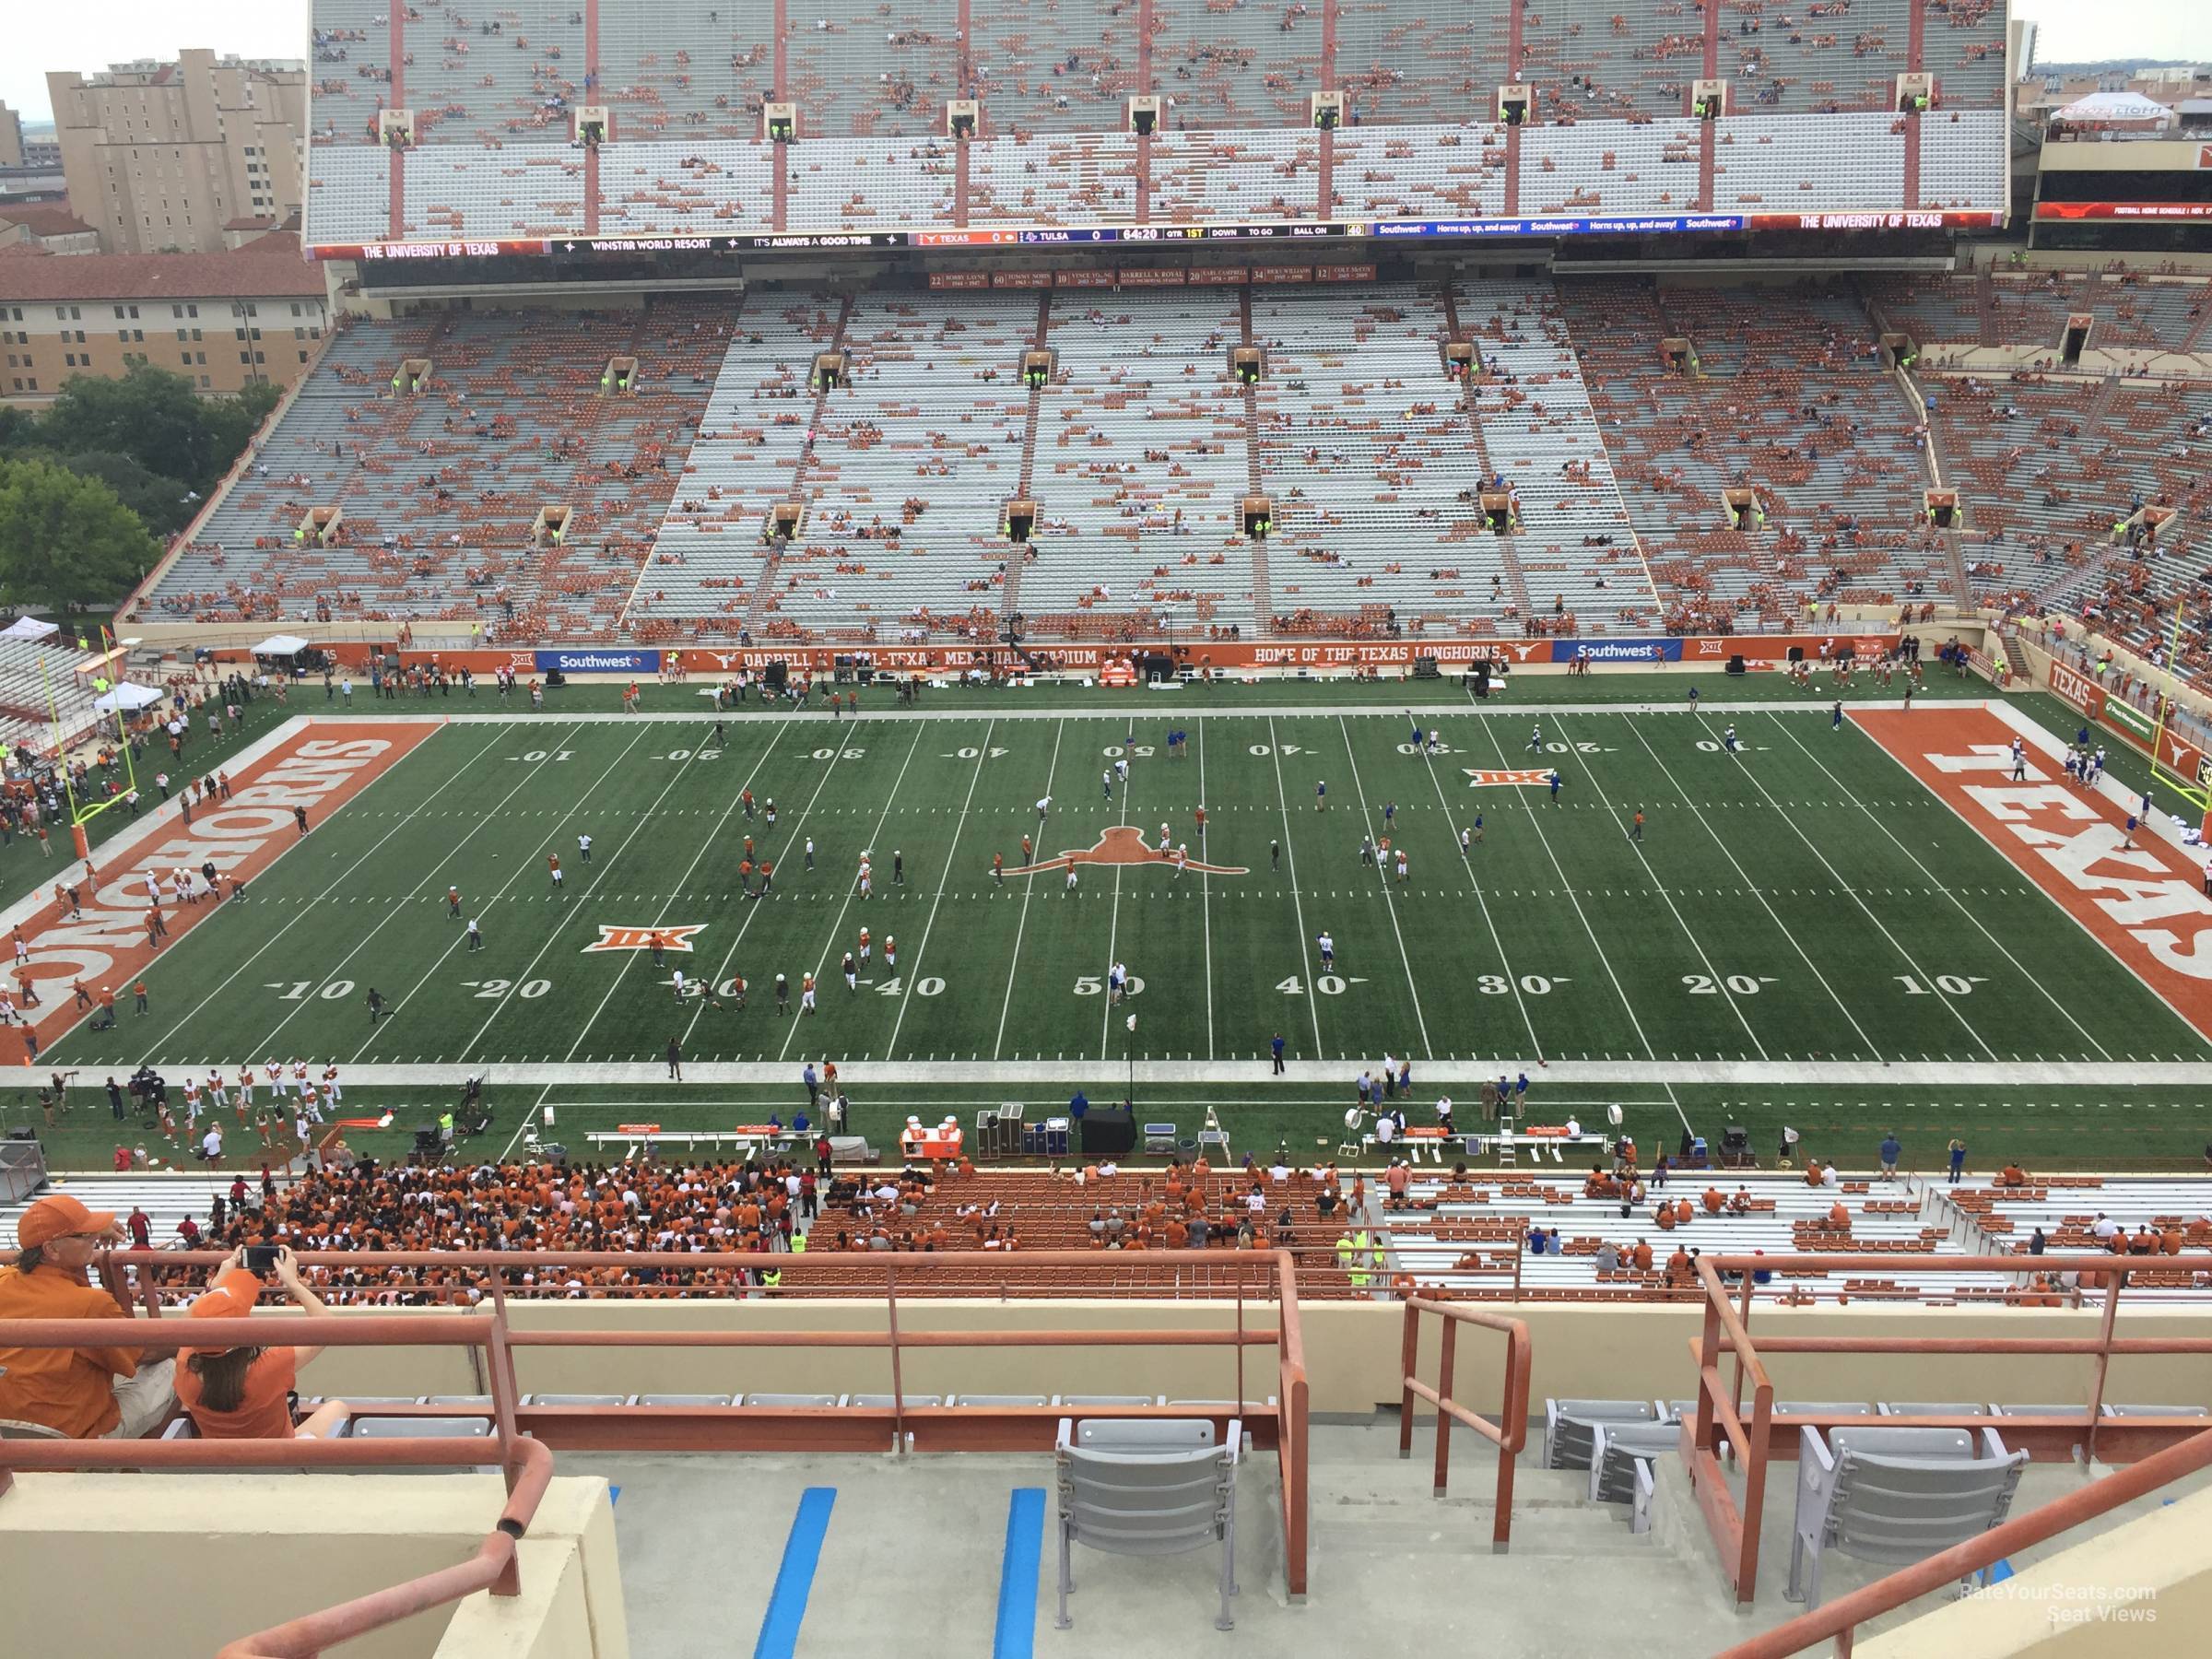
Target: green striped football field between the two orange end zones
1799, 901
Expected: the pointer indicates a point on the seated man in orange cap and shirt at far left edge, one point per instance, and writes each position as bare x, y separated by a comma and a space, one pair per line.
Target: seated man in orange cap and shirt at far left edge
83, 1392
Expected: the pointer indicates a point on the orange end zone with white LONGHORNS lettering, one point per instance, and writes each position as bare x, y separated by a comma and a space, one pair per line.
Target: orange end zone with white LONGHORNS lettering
317, 769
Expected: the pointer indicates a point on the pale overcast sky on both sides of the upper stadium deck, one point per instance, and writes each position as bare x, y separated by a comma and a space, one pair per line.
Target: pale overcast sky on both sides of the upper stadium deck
90, 34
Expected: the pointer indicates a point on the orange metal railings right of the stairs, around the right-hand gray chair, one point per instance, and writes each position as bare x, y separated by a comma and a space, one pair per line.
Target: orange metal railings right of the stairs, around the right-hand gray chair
1757, 1437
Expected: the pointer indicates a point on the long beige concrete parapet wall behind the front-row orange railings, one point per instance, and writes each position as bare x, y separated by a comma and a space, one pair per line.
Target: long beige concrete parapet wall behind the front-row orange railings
1603, 1350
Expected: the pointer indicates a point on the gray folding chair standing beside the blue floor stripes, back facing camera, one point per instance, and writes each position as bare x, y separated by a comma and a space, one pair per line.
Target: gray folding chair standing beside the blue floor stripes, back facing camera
1147, 1488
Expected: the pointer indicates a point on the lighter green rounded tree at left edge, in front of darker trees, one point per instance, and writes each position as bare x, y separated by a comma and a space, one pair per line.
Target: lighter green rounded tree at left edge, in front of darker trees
67, 541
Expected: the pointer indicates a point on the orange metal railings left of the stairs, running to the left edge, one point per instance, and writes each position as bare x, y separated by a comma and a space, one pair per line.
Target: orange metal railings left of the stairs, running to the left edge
525, 1434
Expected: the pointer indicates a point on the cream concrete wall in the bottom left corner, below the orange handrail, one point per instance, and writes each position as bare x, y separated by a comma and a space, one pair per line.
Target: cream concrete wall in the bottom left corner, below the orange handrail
180, 1565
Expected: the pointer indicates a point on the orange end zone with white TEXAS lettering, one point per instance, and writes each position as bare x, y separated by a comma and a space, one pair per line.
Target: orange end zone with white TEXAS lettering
2145, 904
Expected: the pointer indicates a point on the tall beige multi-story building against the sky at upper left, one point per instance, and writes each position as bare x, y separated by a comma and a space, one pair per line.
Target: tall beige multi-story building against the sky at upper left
165, 156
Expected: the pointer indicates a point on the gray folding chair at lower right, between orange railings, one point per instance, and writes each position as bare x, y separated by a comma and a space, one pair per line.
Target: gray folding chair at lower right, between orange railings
1895, 1496
